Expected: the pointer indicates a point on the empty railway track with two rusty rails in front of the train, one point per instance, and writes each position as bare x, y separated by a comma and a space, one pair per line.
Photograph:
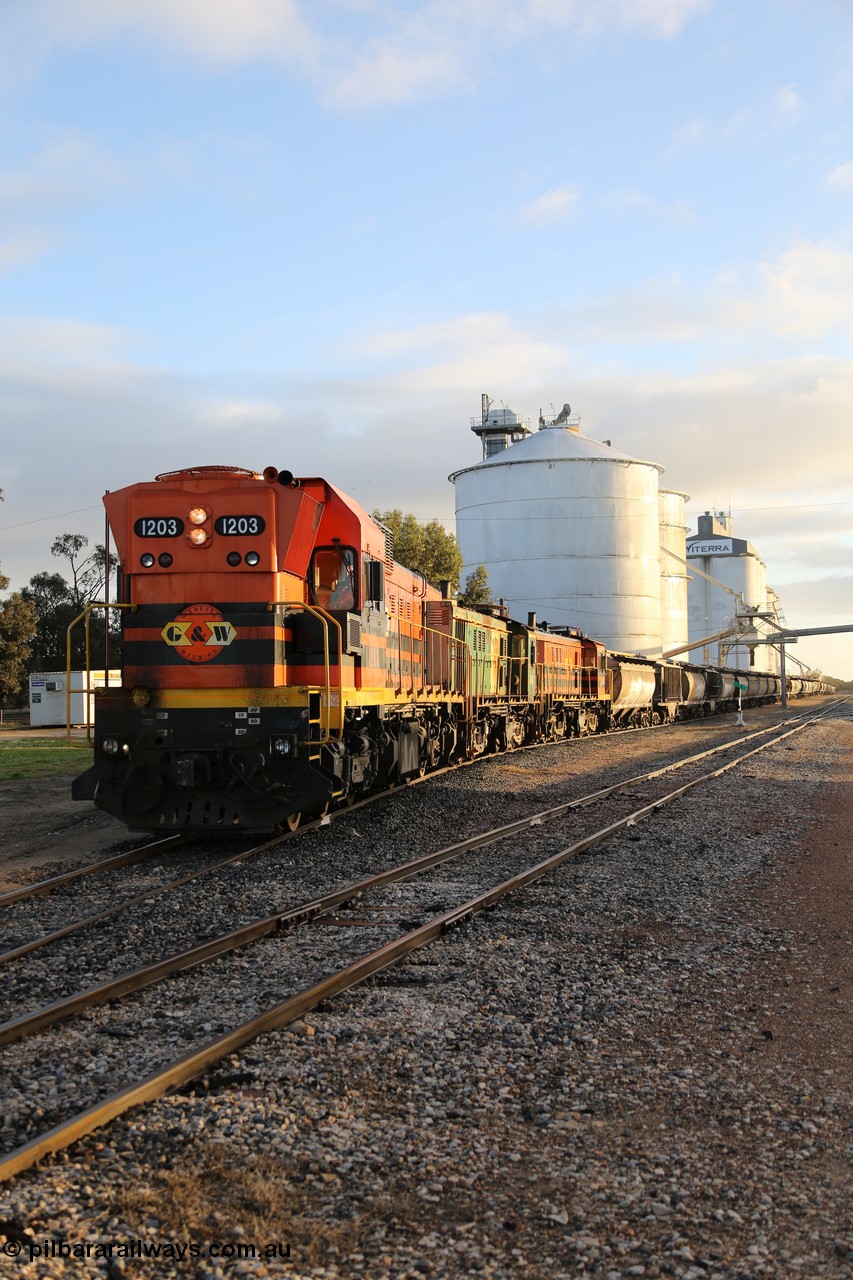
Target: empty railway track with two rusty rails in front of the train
355, 970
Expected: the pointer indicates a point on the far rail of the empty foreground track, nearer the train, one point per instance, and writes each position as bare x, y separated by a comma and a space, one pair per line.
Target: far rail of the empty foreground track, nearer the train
138, 980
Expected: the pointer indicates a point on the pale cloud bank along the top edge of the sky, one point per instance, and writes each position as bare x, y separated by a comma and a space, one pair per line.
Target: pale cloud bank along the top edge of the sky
357, 54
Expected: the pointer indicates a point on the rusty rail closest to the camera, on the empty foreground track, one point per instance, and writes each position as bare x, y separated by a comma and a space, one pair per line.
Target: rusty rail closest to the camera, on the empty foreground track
199, 1060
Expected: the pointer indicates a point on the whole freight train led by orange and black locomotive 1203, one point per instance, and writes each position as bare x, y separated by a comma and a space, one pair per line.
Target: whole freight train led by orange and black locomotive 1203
277, 662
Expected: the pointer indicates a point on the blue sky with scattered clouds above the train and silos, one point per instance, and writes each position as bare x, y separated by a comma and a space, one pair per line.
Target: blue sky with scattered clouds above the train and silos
313, 232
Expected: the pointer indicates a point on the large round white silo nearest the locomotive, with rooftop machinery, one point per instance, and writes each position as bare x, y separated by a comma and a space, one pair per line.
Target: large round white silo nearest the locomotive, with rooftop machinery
568, 528
